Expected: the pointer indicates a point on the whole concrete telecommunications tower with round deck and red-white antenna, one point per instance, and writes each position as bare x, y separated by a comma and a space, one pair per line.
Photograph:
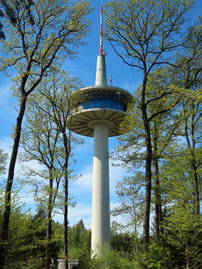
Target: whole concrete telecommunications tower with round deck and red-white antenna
98, 113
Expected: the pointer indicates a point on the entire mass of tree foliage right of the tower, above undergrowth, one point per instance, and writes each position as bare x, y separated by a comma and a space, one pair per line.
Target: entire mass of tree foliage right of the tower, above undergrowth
167, 106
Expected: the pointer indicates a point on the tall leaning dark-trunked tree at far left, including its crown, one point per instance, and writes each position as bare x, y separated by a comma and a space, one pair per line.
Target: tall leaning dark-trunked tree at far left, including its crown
35, 51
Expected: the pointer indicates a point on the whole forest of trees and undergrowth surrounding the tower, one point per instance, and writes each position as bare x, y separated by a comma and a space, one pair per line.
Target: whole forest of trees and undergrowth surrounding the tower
161, 147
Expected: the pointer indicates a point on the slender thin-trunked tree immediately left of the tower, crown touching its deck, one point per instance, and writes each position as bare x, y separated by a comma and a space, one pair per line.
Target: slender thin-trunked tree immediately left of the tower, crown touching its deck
57, 92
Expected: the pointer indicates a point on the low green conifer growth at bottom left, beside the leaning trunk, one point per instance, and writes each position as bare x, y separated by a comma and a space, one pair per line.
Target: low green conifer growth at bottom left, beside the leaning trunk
27, 236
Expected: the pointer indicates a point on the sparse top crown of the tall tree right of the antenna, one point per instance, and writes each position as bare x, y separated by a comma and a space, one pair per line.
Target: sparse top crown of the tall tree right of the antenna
144, 30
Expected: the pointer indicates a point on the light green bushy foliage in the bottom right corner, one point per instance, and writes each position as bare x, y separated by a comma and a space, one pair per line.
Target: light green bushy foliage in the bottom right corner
183, 235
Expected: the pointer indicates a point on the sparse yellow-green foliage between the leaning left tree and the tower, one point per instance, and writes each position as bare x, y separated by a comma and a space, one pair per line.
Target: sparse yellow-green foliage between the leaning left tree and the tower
44, 134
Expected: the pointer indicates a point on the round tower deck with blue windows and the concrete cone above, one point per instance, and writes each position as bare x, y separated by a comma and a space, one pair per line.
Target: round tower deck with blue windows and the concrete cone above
106, 104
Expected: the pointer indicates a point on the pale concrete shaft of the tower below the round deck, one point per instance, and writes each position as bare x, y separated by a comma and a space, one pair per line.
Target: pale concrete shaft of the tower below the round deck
100, 203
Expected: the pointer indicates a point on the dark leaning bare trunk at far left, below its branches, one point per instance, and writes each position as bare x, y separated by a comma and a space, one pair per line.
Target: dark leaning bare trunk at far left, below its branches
7, 205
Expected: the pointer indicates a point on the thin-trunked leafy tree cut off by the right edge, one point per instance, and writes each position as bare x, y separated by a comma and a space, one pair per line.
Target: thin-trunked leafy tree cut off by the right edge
190, 77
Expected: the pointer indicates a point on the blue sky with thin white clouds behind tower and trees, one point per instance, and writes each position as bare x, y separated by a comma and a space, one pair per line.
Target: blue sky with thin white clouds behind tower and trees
84, 66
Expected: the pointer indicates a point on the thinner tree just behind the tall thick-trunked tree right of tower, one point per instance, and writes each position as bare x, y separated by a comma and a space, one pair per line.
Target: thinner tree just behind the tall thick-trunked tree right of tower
162, 99
